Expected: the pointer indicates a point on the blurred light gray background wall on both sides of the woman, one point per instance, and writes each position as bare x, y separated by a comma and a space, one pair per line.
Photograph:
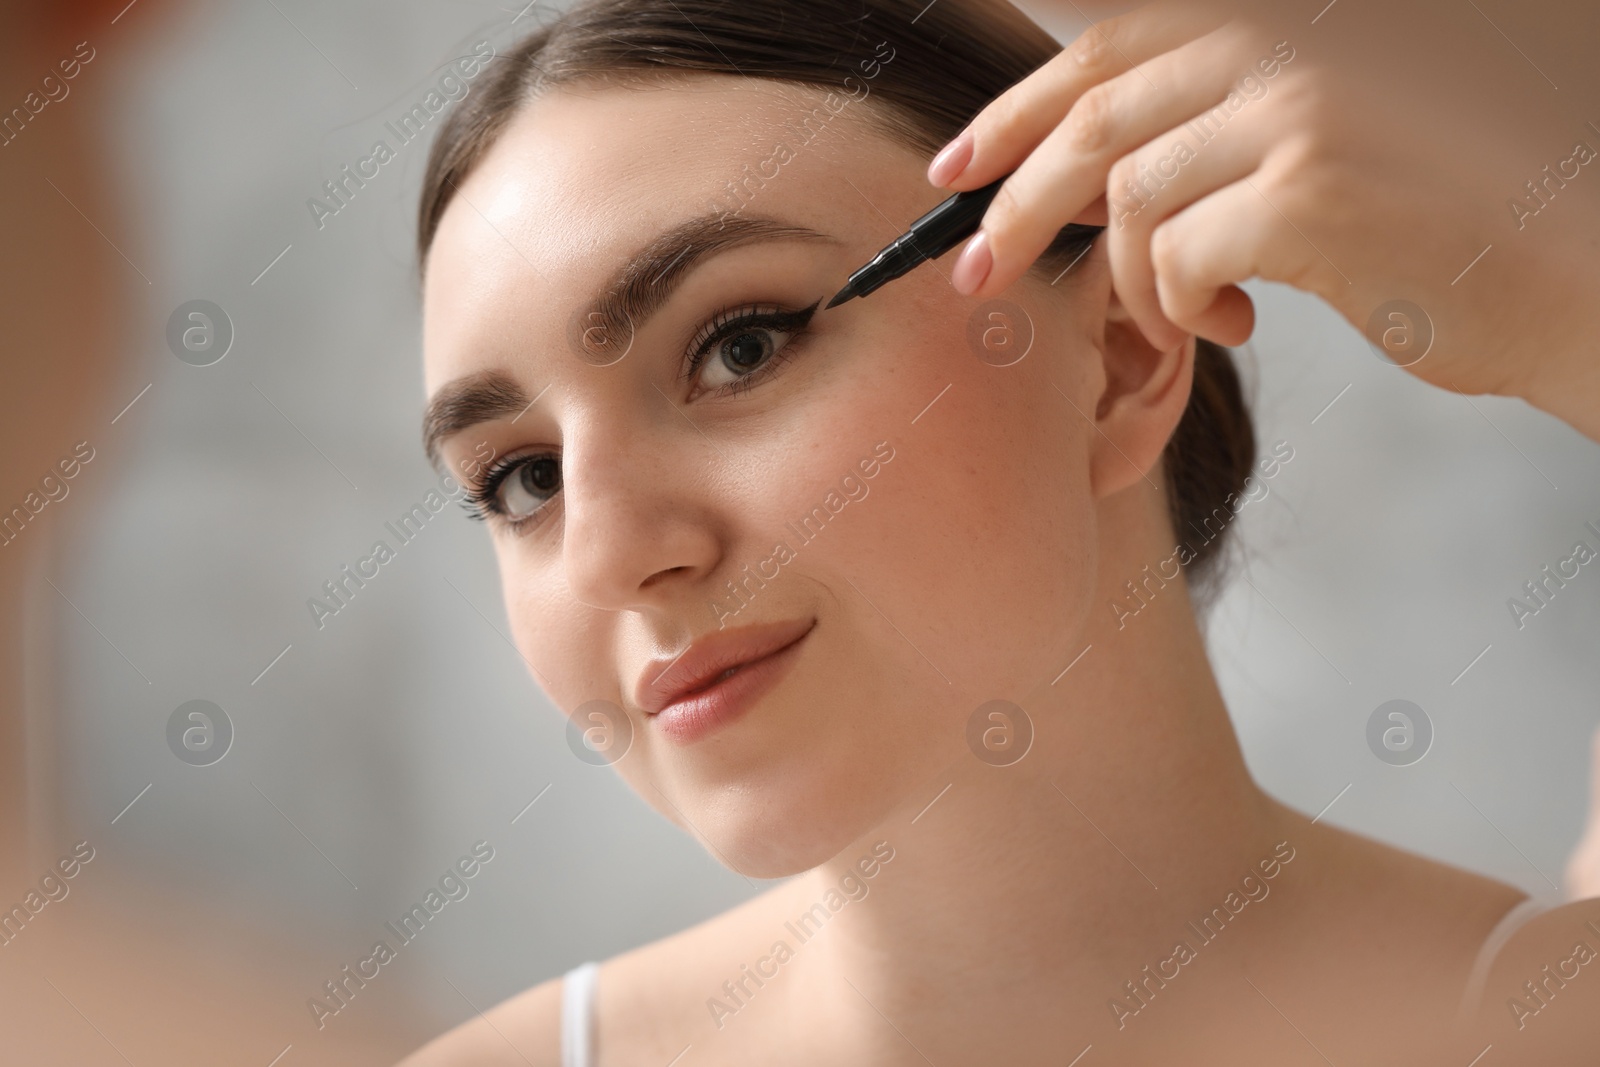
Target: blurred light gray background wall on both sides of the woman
374, 753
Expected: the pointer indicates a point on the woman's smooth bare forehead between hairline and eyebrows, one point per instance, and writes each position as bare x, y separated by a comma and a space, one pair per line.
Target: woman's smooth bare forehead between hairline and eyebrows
582, 178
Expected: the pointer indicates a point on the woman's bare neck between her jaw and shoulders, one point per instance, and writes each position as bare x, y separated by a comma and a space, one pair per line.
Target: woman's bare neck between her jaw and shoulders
1030, 885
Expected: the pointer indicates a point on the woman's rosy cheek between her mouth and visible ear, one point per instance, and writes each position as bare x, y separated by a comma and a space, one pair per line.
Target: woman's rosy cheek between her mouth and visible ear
978, 540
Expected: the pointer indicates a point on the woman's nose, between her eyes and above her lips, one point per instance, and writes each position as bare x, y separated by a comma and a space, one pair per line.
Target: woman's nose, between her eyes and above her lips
639, 522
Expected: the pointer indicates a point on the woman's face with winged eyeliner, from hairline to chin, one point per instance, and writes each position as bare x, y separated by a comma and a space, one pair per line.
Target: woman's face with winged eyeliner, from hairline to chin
862, 476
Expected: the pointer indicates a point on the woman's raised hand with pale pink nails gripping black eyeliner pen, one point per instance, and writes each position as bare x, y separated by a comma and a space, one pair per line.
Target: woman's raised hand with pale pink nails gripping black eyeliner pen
1410, 166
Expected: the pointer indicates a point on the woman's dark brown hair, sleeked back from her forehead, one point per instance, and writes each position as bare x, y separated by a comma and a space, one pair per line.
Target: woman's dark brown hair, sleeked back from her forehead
950, 62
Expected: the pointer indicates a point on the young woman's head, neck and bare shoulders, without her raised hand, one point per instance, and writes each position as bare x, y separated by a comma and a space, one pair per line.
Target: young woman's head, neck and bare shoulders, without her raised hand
900, 597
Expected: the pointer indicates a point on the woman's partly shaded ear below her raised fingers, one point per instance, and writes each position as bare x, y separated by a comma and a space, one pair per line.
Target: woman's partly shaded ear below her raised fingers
1143, 399
